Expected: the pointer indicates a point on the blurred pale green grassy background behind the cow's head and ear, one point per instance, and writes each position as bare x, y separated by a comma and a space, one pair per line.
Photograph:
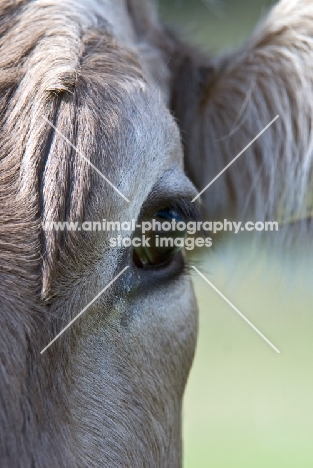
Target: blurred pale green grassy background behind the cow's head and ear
247, 406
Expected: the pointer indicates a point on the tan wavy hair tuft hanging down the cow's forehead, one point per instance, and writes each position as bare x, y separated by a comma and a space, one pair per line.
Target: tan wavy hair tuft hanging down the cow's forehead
80, 80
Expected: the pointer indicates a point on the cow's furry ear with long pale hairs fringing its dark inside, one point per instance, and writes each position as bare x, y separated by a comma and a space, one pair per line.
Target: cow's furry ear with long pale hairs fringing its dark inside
221, 105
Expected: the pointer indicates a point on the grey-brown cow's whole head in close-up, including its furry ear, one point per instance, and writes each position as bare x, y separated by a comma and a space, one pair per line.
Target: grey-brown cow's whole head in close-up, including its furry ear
106, 114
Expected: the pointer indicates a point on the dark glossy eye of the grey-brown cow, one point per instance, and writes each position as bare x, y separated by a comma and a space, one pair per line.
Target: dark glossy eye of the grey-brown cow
165, 239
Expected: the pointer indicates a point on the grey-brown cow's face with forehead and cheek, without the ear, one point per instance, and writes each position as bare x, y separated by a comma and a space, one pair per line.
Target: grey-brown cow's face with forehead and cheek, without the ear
77, 106
